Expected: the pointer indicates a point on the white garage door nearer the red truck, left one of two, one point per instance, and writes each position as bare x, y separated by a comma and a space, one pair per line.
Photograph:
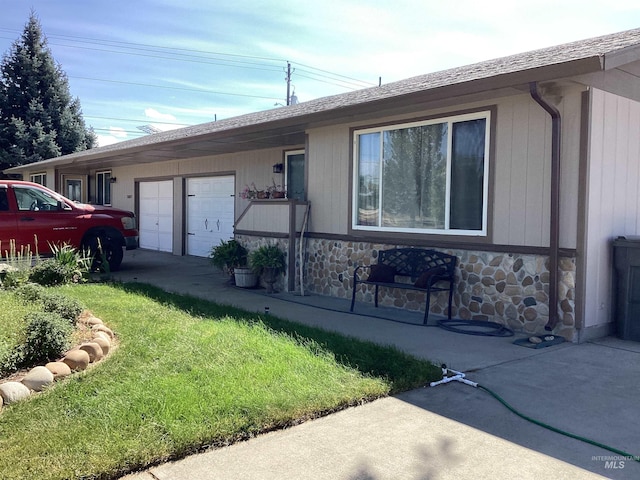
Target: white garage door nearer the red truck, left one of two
156, 215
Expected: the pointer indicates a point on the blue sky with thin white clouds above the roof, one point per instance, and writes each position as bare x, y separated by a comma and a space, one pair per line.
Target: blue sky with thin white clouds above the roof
170, 63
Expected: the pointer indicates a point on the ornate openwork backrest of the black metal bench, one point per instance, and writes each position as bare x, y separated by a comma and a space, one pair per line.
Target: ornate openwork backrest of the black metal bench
411, 262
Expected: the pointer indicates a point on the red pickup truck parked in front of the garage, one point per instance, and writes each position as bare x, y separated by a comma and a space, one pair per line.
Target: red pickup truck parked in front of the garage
31, 213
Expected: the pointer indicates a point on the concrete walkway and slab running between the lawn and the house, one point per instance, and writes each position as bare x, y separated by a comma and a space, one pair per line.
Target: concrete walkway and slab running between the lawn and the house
451, 431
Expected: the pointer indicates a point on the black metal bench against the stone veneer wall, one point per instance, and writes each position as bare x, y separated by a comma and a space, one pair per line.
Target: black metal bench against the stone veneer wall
428, 271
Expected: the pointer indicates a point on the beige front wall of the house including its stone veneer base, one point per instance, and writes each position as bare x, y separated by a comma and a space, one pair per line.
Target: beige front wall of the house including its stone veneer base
509, 286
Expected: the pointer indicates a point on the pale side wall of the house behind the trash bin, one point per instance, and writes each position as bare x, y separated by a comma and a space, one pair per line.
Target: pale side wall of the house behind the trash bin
612, 200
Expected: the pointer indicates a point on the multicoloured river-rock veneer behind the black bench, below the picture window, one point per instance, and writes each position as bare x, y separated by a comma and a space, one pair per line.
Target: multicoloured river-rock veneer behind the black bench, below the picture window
509, 288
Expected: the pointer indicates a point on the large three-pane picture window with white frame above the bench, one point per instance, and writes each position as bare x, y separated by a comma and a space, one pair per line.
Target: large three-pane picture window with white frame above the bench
425, 177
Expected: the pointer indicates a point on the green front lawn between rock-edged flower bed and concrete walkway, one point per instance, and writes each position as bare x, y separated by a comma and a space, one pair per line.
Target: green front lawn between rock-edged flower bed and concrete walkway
189, 374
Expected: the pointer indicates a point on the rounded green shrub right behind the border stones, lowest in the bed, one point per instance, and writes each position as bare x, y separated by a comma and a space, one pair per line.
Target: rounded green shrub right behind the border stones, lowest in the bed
48, 335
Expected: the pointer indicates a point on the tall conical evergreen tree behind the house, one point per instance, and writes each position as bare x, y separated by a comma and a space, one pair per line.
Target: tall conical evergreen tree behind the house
38, 117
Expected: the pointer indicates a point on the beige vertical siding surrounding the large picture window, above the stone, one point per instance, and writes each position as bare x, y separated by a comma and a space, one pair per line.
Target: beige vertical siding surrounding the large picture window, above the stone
520, 171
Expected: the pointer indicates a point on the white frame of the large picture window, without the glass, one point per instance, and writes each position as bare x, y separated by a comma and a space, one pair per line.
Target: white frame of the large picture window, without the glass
486, 113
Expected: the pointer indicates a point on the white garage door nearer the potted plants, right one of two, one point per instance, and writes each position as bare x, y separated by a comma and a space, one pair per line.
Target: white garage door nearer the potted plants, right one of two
210, 213
